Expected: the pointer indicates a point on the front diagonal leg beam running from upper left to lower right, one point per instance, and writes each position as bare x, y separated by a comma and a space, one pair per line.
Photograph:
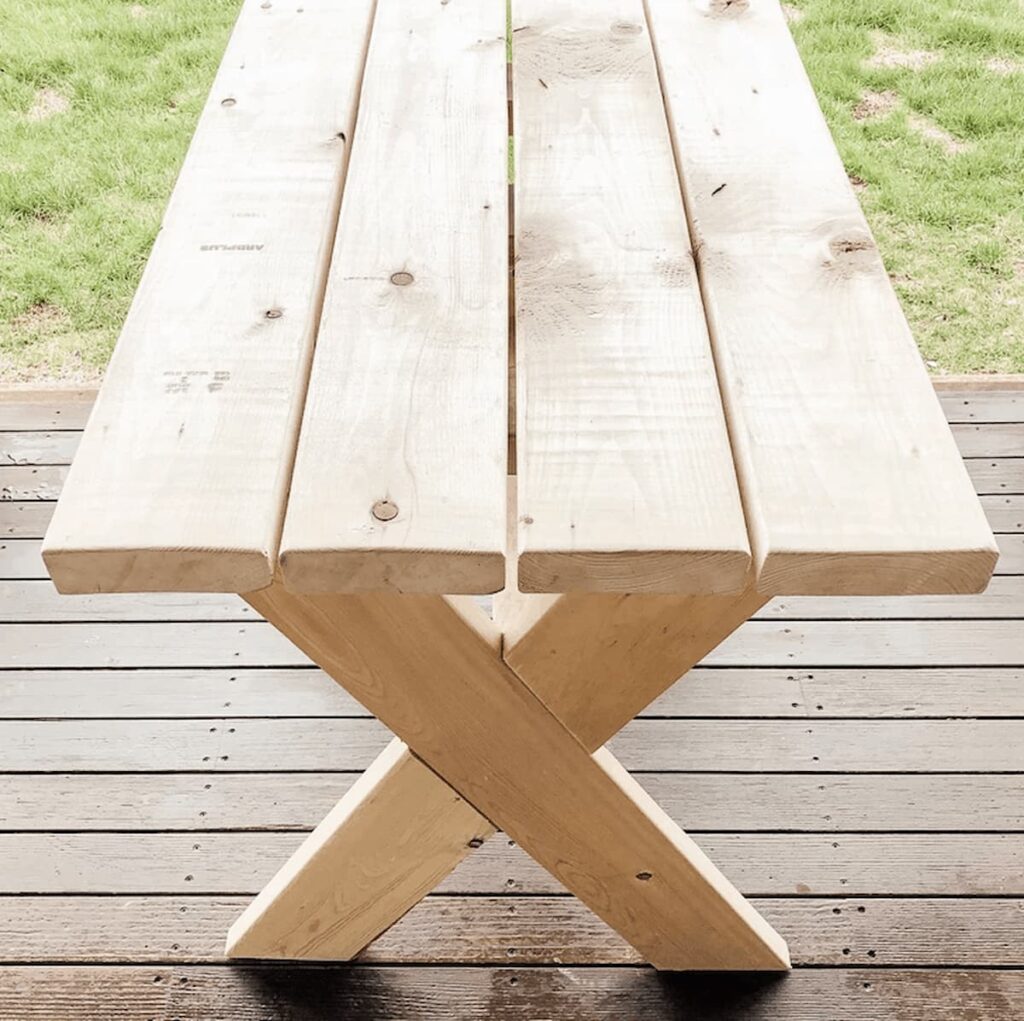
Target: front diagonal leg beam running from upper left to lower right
580, 816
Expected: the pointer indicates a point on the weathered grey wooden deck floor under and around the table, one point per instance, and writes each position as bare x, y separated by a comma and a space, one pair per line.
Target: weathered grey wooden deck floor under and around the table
161, 756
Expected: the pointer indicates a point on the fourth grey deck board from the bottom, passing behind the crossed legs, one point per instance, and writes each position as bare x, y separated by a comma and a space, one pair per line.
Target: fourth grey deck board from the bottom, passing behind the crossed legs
797, 802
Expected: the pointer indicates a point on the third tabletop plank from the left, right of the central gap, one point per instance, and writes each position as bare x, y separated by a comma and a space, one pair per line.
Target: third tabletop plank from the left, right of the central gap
626, 480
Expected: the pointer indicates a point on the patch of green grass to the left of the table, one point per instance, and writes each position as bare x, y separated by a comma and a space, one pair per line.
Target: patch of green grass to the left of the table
83, 189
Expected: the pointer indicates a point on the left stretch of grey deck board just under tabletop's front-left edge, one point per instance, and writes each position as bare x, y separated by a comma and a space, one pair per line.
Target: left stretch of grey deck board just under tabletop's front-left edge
31, 602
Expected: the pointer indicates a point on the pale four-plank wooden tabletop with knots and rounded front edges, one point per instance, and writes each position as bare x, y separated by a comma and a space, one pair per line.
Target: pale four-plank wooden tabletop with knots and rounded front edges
710, 378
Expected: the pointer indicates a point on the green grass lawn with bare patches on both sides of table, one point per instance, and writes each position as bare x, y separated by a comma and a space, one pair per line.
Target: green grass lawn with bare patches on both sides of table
99, 100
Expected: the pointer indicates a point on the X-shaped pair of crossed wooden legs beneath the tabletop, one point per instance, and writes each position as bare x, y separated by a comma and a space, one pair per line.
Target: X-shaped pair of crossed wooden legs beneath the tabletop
517, 741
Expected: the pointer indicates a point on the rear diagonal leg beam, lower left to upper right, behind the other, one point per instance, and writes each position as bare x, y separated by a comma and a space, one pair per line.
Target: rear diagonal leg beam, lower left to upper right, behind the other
587, 643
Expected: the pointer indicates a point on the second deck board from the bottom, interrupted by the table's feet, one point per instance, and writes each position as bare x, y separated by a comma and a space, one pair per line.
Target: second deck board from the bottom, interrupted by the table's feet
866, 932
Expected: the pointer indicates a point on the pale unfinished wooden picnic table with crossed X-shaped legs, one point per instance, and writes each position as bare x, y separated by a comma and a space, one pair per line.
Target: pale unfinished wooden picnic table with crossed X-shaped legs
661, 379
